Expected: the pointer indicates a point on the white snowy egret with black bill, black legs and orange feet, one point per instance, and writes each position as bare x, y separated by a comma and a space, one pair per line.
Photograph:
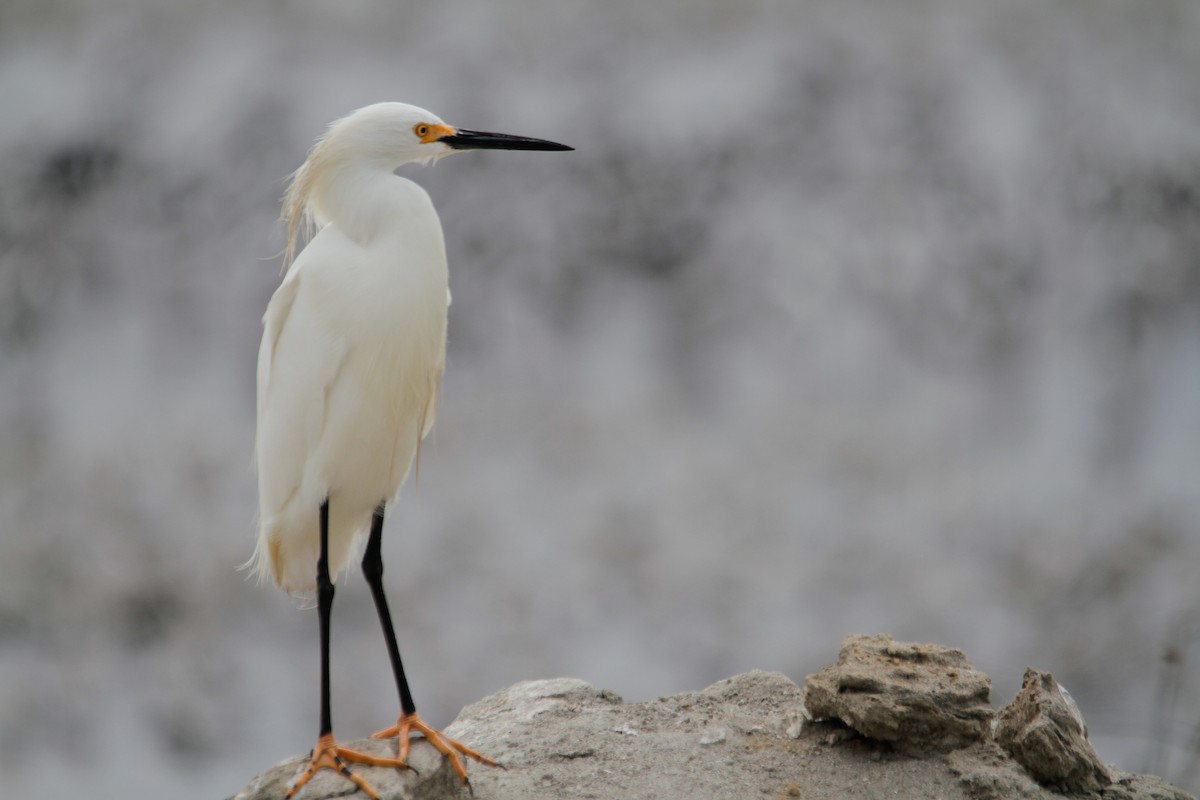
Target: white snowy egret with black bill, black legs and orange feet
349, 374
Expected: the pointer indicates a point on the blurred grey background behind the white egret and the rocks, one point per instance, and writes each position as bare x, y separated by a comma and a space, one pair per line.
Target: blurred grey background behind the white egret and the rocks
848, 316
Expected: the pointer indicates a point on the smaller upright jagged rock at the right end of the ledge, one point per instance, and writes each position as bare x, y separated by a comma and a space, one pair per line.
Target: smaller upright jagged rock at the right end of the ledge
1043, 730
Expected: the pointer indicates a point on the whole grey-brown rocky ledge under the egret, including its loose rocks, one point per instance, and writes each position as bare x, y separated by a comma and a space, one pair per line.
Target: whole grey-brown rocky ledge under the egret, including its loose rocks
890, 720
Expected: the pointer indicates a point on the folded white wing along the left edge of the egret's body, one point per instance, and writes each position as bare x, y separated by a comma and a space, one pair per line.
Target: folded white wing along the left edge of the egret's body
298, 362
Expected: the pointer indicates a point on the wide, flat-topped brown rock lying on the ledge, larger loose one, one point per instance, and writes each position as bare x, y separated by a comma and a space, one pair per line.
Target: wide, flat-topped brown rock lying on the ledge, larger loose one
919, 697
